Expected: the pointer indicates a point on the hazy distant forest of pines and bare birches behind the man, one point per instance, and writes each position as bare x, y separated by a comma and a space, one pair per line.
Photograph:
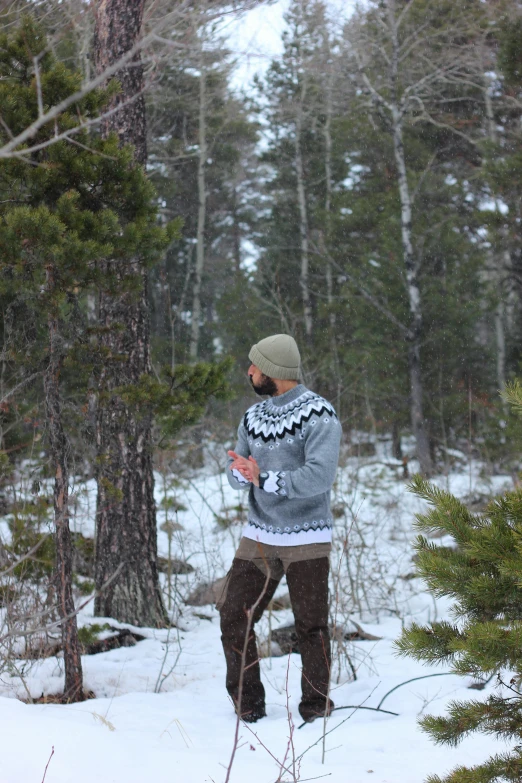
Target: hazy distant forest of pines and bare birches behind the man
362, 196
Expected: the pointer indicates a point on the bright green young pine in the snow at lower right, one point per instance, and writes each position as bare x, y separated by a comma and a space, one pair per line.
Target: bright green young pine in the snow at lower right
481, 573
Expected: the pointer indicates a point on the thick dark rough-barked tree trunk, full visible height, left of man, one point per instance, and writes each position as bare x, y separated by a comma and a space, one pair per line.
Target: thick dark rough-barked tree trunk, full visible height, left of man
126, 536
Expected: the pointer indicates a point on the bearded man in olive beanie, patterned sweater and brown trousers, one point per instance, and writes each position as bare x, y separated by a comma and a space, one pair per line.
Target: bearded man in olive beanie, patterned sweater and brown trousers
286, 456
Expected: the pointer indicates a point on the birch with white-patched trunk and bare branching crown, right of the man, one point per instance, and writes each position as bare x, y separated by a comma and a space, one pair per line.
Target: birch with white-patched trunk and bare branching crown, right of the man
397, 77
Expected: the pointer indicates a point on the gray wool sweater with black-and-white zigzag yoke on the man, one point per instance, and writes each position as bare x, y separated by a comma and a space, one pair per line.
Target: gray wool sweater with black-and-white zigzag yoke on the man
295, 437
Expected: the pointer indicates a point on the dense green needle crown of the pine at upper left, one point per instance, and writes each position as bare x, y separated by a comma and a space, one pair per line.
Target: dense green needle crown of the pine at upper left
77, 200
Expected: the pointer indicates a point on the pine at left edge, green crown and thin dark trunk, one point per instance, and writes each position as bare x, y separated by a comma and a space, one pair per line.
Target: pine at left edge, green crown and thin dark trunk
72, 204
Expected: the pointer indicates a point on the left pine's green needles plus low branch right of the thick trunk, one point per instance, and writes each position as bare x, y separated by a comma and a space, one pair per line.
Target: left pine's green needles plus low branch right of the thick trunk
81, 202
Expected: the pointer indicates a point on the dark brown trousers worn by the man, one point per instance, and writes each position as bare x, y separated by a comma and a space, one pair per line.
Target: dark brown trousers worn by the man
308, 586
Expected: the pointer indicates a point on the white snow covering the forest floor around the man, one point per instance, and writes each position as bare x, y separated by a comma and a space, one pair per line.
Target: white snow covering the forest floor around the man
161, 712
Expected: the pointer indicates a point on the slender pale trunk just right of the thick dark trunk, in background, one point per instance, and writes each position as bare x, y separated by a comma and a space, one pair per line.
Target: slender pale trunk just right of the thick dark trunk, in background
202, 209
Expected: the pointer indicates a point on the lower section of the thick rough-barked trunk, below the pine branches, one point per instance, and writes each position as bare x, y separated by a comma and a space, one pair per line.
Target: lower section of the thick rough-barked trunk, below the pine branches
126, 534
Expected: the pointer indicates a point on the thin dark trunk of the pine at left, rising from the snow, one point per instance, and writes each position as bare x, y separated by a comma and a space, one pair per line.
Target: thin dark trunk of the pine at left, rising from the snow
73, 690
